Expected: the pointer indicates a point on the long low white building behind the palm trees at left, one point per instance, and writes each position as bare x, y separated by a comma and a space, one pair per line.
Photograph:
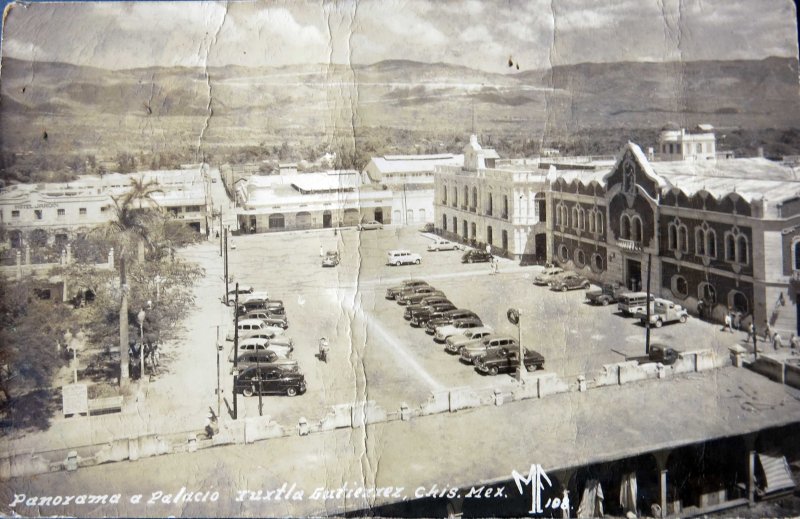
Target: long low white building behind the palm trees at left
58, 212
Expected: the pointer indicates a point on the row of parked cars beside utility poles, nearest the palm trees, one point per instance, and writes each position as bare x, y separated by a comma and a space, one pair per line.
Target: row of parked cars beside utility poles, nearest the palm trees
263, 362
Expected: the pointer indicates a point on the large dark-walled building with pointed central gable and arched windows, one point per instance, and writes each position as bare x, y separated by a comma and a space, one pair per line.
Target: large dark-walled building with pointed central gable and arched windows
724, 232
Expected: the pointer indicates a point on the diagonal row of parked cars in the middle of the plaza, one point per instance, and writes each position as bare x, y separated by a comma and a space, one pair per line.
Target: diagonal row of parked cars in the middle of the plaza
461, 330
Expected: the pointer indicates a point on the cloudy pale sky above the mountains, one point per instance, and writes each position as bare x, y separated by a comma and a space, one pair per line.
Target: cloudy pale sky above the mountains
479, 34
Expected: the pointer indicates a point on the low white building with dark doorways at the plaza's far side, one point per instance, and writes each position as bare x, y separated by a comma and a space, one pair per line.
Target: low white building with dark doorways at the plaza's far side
309, 201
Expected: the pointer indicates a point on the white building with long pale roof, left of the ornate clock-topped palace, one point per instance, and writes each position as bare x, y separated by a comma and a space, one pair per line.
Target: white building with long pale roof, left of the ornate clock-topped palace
411, 179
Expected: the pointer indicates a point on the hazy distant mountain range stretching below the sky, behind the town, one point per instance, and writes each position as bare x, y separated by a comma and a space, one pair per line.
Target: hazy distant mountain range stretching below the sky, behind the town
96, 110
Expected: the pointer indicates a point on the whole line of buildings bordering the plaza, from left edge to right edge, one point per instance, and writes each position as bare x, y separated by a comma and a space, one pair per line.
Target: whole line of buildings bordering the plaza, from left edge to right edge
717, 229
